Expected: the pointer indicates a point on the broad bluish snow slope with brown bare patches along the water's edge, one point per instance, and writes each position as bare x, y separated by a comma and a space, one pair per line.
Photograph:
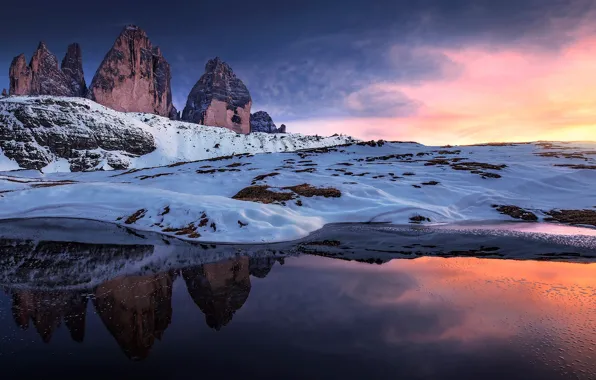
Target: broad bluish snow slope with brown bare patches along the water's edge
256, 198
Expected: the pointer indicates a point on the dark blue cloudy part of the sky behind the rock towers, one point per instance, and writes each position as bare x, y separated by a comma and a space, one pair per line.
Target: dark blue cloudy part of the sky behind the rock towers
299, 59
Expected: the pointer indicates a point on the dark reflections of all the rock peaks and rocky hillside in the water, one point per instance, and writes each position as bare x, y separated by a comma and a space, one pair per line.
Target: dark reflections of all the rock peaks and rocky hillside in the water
136, 309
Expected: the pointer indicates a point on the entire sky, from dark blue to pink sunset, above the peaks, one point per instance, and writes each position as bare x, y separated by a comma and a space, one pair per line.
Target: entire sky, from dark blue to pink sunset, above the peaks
432, 71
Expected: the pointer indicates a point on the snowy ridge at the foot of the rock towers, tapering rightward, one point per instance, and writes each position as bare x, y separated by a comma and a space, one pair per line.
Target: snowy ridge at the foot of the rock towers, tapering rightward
75, 134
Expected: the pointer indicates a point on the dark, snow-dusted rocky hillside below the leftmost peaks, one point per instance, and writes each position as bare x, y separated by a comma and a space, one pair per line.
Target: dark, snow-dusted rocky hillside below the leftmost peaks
37, 131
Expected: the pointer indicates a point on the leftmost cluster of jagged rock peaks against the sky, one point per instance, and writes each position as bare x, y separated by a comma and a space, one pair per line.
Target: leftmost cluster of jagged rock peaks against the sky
42, 76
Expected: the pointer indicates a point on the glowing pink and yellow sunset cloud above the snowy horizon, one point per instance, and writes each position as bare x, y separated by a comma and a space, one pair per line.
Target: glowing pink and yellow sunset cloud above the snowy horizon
513, 94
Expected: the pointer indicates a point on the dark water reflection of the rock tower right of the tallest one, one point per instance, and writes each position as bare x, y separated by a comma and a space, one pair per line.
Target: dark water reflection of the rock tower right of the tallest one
219, 289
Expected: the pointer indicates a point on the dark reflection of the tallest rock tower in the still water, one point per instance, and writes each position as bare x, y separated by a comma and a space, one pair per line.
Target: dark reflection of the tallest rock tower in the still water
136, 310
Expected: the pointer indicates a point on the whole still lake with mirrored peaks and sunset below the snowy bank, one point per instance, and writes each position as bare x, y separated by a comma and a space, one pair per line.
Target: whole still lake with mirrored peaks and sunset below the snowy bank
85, 300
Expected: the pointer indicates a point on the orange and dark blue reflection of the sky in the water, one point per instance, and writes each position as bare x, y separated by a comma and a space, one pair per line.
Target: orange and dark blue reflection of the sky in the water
429, 318
